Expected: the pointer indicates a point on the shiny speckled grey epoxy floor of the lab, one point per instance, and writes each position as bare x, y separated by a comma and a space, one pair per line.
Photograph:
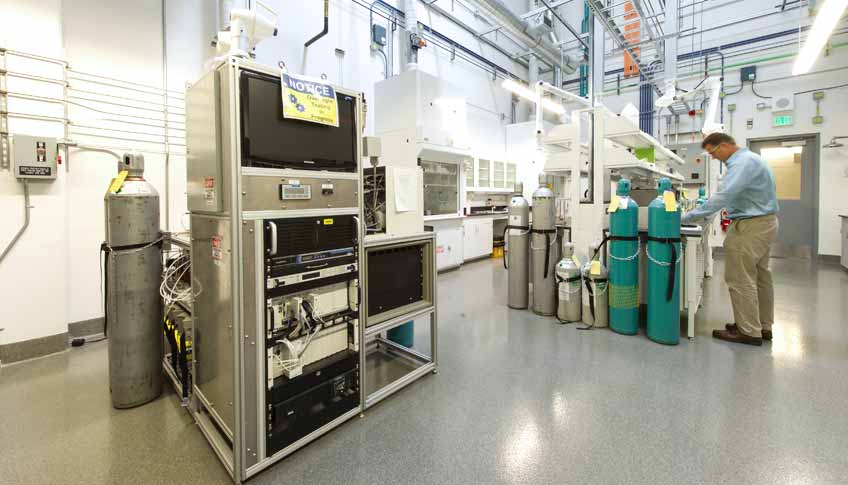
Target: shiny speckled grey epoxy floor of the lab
519, 399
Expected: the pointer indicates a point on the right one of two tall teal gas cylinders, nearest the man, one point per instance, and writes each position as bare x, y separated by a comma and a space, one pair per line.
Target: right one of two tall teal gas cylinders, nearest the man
663, 268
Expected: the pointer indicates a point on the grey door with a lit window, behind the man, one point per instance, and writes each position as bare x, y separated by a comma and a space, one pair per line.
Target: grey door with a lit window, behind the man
794, 162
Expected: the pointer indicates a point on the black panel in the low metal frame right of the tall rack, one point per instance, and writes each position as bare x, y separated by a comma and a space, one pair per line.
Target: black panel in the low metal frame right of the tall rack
395, 278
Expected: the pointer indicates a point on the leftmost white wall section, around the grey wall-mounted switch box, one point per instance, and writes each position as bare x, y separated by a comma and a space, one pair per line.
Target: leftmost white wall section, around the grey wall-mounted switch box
31, 281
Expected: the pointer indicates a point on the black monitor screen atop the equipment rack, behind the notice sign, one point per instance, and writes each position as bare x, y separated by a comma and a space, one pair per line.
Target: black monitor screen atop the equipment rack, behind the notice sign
271, 141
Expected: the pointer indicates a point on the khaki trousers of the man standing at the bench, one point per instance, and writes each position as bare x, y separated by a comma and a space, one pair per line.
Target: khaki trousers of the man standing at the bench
747, 274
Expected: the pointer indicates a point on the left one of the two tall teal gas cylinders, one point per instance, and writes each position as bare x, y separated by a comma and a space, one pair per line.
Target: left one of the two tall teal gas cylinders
624, 263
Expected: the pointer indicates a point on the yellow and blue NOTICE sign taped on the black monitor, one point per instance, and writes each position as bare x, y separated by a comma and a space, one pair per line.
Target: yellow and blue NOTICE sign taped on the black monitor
309, 100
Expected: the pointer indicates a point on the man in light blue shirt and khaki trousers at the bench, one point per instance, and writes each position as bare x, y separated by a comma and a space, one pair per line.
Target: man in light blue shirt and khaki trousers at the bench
748, 193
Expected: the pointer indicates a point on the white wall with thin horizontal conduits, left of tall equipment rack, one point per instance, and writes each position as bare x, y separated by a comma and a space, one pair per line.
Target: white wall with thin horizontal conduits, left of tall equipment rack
53, 273
